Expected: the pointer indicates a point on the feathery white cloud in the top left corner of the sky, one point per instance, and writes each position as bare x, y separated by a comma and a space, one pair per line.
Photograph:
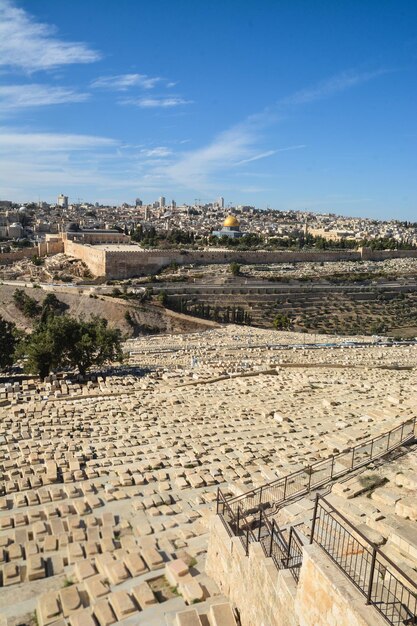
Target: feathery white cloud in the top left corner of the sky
31, 45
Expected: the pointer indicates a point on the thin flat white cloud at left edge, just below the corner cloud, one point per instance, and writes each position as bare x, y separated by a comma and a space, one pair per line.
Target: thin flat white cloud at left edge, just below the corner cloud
20, 96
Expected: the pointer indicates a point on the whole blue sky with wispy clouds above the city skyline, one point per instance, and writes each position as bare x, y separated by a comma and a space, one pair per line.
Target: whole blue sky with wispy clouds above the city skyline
289, 104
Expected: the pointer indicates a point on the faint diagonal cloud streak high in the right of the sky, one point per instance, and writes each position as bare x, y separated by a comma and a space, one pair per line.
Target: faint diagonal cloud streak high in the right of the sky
331, 86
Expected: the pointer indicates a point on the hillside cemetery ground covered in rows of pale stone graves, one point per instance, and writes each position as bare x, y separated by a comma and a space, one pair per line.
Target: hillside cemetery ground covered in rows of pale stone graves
109, 486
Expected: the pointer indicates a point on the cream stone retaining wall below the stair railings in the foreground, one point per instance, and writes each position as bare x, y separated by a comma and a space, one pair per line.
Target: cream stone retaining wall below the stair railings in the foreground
265, 596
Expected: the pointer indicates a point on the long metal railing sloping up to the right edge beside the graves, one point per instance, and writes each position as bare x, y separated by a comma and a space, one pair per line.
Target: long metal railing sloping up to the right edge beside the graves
275, 493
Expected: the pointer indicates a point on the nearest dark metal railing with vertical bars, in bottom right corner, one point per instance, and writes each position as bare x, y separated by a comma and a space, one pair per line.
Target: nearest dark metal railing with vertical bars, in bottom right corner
385, 586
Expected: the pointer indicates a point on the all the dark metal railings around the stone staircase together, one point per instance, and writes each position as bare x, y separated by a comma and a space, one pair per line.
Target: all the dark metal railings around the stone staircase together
257, 527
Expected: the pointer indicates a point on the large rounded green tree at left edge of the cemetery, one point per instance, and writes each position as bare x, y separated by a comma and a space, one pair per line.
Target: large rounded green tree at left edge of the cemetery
64, 342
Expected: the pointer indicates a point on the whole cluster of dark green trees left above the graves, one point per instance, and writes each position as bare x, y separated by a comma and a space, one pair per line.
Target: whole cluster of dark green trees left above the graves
58, 341
